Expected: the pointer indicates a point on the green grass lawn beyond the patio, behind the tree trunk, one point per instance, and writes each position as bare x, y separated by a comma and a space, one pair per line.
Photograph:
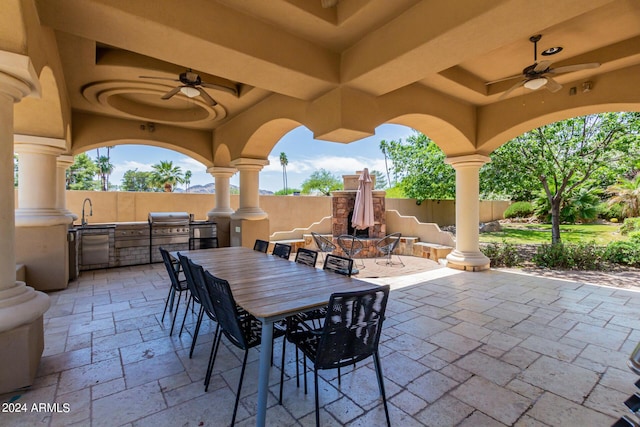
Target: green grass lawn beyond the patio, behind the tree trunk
516, 233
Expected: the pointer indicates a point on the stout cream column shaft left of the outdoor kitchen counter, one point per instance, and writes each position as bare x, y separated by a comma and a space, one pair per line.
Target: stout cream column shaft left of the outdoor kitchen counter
37, 181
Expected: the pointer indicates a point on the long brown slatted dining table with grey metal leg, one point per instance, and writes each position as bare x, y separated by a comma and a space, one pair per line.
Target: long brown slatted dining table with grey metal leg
271, 289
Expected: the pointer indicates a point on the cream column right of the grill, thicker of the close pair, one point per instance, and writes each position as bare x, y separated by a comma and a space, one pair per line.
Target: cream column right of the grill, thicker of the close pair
249, 188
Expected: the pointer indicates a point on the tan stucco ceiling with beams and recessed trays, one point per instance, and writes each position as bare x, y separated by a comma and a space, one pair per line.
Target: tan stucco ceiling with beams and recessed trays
302, 50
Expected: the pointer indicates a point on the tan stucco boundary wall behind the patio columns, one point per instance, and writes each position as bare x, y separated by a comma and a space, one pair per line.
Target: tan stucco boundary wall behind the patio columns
285, 212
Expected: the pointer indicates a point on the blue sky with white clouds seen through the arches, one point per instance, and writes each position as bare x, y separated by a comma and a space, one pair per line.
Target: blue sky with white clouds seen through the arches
305, 156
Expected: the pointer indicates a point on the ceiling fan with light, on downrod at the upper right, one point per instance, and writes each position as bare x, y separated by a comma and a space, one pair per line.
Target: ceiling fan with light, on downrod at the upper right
539, 74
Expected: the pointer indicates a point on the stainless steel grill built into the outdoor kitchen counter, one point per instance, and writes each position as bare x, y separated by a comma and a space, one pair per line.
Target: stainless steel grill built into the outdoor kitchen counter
169, 230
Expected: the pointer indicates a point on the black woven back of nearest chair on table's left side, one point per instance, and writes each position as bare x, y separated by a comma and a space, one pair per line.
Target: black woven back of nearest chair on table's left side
225, 309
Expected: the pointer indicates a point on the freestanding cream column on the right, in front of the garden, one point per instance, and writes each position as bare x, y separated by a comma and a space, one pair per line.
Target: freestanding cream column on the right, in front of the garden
467, 255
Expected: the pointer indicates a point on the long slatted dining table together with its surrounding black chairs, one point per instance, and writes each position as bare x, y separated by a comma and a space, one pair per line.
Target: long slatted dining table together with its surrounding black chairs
253, 297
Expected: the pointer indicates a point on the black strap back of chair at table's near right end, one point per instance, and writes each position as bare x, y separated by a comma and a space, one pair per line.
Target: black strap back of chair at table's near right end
352, 327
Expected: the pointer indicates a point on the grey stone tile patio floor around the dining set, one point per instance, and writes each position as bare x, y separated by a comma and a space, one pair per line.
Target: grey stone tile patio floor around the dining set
458, 349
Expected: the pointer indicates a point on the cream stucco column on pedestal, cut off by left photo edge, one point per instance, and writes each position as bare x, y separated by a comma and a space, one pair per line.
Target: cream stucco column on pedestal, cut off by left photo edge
21, 307
